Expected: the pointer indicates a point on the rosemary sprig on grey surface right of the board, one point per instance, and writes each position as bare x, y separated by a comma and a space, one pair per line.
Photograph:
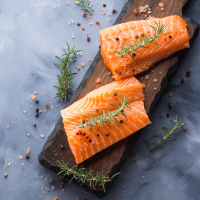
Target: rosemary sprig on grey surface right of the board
168, 133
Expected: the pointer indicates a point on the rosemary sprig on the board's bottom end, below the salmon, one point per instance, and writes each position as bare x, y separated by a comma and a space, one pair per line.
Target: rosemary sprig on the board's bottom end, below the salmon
82, 175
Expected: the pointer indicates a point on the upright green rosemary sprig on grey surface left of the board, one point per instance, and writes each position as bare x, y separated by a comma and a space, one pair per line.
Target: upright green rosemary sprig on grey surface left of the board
66, 75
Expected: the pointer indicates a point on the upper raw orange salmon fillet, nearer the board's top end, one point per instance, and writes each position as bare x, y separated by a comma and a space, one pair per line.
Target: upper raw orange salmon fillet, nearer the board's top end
174, 39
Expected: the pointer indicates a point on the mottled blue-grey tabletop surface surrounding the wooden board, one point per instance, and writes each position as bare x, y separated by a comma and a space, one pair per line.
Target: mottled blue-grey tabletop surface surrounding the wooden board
31, 34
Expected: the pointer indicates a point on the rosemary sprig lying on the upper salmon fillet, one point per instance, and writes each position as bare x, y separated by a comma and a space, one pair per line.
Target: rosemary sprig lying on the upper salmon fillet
129, 49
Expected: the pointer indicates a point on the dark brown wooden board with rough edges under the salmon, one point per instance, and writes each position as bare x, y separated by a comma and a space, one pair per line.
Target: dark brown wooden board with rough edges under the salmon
112, 158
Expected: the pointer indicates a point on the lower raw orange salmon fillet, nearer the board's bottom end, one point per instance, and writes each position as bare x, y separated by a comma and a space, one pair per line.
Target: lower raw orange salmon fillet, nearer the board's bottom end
84, 143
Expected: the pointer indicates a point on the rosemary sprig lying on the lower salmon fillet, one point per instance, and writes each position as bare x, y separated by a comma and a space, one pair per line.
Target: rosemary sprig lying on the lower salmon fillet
105, 119
